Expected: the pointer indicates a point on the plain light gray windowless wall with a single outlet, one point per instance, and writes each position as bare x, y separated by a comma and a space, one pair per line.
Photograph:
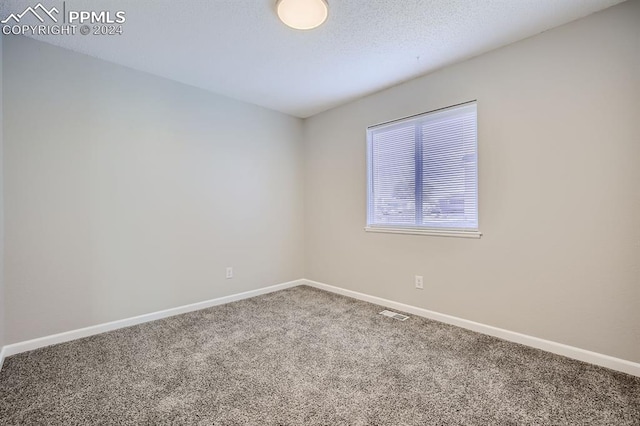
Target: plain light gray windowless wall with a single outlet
127, 193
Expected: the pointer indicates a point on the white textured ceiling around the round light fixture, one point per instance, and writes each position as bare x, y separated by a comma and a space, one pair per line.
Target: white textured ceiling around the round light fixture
240, 49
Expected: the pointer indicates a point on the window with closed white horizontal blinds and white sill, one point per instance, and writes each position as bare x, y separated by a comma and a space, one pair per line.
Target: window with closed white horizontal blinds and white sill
423, 174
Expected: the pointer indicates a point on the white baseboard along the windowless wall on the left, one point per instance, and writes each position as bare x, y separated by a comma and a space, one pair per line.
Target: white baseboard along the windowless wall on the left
67, 336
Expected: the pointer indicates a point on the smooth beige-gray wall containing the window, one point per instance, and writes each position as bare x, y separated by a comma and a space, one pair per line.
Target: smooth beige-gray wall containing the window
559, 144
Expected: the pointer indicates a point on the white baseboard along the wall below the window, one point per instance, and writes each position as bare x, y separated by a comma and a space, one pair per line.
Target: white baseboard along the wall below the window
607, 361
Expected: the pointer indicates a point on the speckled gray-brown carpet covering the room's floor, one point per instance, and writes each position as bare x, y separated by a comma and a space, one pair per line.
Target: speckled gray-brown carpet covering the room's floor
306, 357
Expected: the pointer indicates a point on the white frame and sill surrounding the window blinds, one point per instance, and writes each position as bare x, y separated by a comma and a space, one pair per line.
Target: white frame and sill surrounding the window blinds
415, 229
